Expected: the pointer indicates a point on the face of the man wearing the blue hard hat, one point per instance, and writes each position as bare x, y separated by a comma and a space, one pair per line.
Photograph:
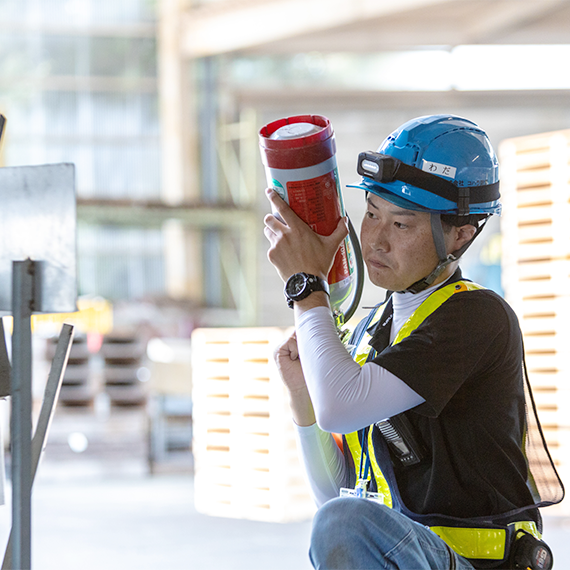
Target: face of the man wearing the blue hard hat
397, 244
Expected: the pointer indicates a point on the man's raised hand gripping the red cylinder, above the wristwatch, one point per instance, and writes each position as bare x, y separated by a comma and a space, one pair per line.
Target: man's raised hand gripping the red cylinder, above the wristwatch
295, 246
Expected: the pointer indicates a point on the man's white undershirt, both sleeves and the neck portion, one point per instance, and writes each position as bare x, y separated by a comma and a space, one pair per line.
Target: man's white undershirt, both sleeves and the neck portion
345, 396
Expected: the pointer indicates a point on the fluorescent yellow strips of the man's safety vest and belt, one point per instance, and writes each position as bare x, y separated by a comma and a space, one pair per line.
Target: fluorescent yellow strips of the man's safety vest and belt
474, 543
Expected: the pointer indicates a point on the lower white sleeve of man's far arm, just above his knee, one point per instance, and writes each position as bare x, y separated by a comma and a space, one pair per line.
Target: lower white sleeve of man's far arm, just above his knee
323, 461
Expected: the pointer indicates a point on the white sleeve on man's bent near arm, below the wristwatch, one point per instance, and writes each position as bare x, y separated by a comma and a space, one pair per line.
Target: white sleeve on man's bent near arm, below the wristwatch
346, 397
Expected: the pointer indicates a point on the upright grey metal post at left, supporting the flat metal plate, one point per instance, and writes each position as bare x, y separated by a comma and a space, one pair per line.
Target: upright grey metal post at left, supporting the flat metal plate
21, 416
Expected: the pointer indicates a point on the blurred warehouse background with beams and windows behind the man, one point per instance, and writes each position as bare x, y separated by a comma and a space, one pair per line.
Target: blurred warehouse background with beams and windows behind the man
159, 103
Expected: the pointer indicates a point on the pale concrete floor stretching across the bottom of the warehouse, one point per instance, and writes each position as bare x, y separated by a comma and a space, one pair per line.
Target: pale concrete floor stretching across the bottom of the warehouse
101, 509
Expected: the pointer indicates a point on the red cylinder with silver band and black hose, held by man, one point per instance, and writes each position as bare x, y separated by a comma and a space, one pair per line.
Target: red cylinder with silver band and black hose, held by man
299, 155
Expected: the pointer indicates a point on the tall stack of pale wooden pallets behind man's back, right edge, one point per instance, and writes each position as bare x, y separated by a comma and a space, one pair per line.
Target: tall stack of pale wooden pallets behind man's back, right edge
536, 273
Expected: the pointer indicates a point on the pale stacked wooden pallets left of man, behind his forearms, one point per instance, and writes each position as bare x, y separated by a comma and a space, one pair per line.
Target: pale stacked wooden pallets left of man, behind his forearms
246, 464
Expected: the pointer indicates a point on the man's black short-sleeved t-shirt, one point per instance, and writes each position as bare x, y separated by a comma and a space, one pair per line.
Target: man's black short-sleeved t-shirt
465, 360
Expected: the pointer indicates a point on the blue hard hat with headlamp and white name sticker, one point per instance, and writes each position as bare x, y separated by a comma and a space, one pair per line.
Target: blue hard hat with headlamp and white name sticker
439, 163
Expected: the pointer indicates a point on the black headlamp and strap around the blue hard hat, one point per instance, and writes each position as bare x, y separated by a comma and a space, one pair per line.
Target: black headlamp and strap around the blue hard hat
383, 168
